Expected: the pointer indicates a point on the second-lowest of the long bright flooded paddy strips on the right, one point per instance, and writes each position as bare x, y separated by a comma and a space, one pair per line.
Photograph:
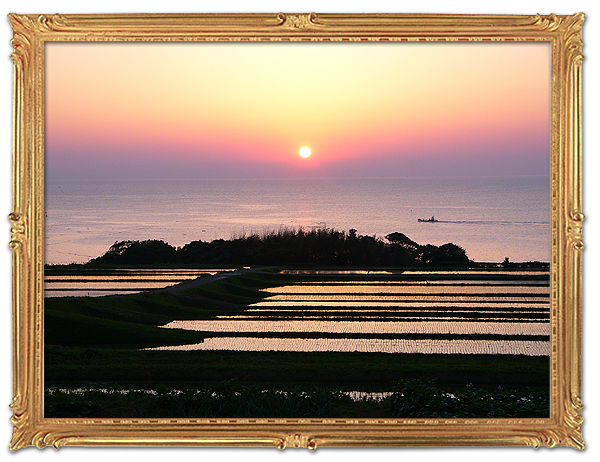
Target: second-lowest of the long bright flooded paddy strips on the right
366, 327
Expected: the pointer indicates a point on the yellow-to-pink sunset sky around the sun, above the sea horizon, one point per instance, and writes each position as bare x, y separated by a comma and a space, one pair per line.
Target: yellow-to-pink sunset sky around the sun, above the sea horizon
149, 110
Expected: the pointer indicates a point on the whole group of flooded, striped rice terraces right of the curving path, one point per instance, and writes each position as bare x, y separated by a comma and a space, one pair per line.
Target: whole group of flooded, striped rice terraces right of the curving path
453, 312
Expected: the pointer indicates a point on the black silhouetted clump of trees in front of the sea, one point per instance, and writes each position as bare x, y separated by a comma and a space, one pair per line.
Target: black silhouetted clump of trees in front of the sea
315, 247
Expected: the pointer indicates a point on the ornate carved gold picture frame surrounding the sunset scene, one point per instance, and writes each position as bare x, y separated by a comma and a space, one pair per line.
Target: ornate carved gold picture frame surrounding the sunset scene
31, 427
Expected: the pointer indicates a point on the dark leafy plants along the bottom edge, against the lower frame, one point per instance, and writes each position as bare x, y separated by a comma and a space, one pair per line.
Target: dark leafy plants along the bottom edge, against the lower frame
412, 398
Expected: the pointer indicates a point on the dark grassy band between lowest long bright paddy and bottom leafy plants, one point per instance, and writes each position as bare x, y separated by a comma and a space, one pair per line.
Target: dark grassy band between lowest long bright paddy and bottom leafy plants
78, 366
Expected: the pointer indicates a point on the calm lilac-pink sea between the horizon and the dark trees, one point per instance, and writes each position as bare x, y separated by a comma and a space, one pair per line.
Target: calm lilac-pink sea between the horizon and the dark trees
491, 218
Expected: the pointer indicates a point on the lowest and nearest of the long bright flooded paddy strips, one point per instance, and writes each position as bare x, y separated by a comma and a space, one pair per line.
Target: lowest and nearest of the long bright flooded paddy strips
427, 346
